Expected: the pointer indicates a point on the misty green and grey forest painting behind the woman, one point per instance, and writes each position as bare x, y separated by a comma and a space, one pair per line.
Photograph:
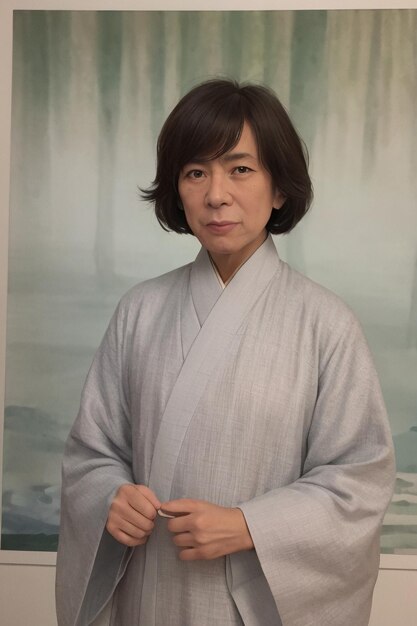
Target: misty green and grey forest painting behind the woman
90, 92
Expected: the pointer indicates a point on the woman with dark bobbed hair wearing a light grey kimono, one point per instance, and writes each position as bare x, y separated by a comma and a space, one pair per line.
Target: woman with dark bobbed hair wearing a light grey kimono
233, 396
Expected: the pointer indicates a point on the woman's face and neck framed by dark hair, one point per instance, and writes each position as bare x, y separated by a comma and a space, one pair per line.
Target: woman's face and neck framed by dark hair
228, 202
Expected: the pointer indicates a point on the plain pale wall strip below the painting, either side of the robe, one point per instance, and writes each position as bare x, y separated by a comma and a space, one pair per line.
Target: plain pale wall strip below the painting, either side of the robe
27, 597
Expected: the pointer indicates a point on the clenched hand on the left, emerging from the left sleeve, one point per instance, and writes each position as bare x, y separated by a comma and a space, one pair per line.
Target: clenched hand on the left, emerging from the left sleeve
131, 514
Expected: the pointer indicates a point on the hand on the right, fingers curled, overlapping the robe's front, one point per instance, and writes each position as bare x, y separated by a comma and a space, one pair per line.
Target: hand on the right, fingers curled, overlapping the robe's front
206, 531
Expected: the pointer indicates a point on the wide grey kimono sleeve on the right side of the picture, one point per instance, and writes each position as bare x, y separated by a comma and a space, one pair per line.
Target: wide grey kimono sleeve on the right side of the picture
317, 539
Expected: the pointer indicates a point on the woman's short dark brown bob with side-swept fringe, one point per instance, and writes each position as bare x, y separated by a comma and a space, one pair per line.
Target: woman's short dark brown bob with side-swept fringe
206, 123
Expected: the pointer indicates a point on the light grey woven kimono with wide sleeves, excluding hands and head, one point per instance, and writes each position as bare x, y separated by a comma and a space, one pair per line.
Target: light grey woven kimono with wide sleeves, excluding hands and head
261, 395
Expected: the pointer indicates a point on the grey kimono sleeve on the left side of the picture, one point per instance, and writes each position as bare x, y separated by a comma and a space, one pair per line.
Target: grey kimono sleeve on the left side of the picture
97, 461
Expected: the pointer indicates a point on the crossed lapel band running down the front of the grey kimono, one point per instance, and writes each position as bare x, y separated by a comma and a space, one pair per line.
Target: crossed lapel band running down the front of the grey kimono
211, 317
